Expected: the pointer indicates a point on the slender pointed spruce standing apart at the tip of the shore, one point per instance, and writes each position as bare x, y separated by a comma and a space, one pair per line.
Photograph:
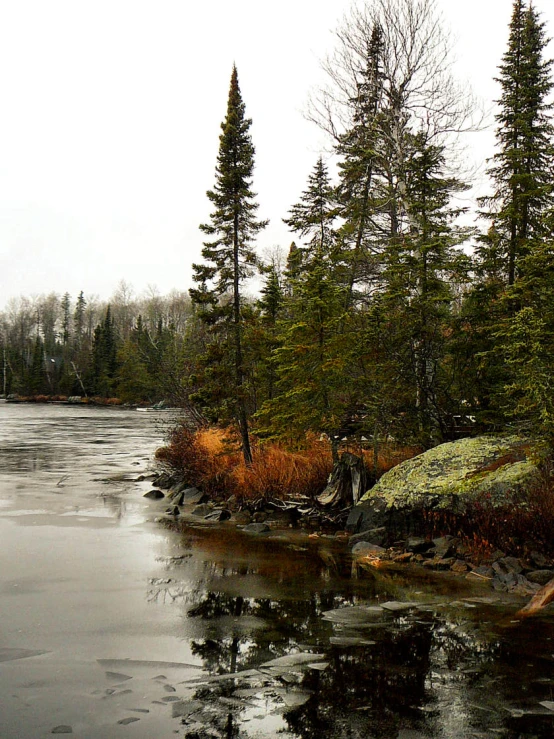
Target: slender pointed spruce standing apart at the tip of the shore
230, 257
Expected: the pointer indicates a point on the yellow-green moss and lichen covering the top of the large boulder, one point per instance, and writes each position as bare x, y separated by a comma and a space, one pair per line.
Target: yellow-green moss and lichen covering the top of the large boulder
460, 471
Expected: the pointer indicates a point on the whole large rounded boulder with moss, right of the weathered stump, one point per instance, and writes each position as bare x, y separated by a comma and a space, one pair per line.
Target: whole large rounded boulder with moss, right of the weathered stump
495, 469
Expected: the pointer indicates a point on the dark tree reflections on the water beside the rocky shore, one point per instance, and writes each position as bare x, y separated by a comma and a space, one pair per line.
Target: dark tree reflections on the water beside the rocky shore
293, 646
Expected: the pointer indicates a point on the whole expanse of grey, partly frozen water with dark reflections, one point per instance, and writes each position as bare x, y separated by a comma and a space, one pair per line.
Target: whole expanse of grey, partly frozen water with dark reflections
112, 626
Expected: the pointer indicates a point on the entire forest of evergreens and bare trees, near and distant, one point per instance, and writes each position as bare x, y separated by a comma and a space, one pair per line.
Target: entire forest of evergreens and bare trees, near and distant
399, 309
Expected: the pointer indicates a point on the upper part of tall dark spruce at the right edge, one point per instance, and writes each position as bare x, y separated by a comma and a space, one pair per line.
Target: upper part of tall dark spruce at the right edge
522, 169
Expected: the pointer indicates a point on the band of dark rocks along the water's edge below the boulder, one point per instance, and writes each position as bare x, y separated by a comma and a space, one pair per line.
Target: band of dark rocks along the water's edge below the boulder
189, 507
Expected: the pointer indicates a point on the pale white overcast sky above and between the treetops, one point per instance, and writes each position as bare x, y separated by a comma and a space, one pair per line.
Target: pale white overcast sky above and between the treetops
109, 125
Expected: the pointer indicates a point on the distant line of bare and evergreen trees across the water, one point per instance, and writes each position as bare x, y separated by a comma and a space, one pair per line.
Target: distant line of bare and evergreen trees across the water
126, 347
